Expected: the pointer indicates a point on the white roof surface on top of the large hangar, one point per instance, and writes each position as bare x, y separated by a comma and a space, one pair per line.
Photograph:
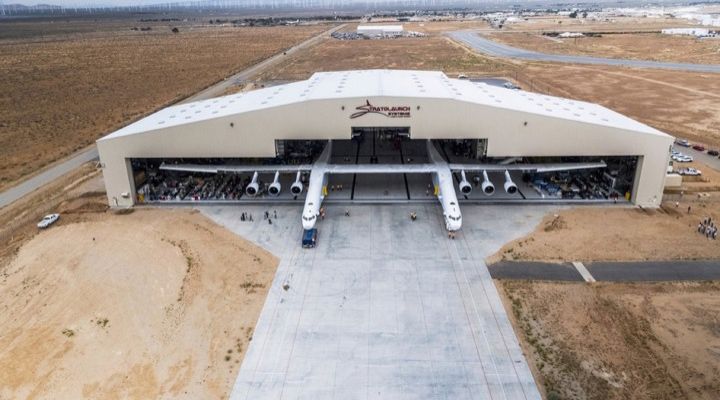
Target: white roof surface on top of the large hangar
378, 83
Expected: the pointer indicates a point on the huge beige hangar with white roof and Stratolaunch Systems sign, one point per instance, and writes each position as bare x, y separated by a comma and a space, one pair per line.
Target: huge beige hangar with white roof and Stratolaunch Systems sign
479, 128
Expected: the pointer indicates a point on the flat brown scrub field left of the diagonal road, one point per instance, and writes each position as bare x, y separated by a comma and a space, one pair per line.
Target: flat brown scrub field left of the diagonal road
66, 85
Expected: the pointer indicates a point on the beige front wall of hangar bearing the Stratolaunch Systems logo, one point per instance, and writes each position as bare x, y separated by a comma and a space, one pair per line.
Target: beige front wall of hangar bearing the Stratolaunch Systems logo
509, 132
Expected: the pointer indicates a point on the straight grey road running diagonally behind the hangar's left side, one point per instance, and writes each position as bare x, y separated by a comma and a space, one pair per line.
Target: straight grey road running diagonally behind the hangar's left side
90, 153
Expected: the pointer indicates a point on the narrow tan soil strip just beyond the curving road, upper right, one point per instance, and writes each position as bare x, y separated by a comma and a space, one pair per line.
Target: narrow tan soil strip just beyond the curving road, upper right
644, 46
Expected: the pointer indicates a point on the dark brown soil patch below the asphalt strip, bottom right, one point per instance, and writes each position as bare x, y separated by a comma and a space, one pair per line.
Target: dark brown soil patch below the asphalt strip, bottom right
619, 341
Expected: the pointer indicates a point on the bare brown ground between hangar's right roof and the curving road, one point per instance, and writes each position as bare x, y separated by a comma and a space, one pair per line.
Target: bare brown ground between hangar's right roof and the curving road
682, 104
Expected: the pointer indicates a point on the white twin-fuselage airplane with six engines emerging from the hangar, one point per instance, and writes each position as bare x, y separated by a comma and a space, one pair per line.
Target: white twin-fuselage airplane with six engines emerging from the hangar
440, 170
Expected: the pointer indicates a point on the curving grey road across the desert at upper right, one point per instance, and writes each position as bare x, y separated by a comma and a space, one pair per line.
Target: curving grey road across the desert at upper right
492, 48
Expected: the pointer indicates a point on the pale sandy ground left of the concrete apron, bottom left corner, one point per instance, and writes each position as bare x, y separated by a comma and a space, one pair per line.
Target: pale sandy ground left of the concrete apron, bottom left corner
152, 304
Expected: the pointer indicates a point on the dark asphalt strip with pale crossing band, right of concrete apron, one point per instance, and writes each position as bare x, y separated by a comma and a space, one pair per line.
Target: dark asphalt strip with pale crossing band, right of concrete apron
643, 271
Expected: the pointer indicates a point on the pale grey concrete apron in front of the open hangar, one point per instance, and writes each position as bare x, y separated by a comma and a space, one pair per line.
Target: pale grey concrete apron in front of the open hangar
384, 307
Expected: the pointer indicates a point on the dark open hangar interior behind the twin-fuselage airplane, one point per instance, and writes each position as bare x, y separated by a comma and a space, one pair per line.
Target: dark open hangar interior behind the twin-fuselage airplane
378, 145
